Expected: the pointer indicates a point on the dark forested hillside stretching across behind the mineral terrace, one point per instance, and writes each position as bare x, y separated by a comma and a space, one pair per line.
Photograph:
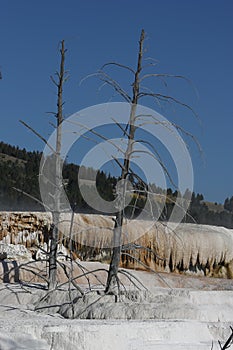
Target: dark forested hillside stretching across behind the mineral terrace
20, 169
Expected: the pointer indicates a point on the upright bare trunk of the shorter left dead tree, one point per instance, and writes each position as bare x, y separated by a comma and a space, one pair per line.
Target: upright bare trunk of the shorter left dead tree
58, 175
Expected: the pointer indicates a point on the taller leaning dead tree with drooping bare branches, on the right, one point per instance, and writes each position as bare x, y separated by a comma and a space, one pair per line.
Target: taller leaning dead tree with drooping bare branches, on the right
138, 92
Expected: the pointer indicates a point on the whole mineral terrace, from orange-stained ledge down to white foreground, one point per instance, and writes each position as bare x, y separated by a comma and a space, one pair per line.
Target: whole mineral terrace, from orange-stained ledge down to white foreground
178, 312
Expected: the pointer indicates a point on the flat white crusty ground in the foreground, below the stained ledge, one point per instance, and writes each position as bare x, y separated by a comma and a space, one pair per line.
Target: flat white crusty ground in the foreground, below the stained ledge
190, 314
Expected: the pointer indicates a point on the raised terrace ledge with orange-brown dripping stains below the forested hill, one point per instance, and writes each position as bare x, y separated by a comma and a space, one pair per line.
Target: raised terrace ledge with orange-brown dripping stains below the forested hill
200, 249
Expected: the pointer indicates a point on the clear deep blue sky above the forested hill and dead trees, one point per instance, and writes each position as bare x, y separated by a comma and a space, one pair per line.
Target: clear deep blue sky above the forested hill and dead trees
192, 38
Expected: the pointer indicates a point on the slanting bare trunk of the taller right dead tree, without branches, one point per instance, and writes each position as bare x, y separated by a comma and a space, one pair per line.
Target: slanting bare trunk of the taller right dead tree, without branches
112, 280
